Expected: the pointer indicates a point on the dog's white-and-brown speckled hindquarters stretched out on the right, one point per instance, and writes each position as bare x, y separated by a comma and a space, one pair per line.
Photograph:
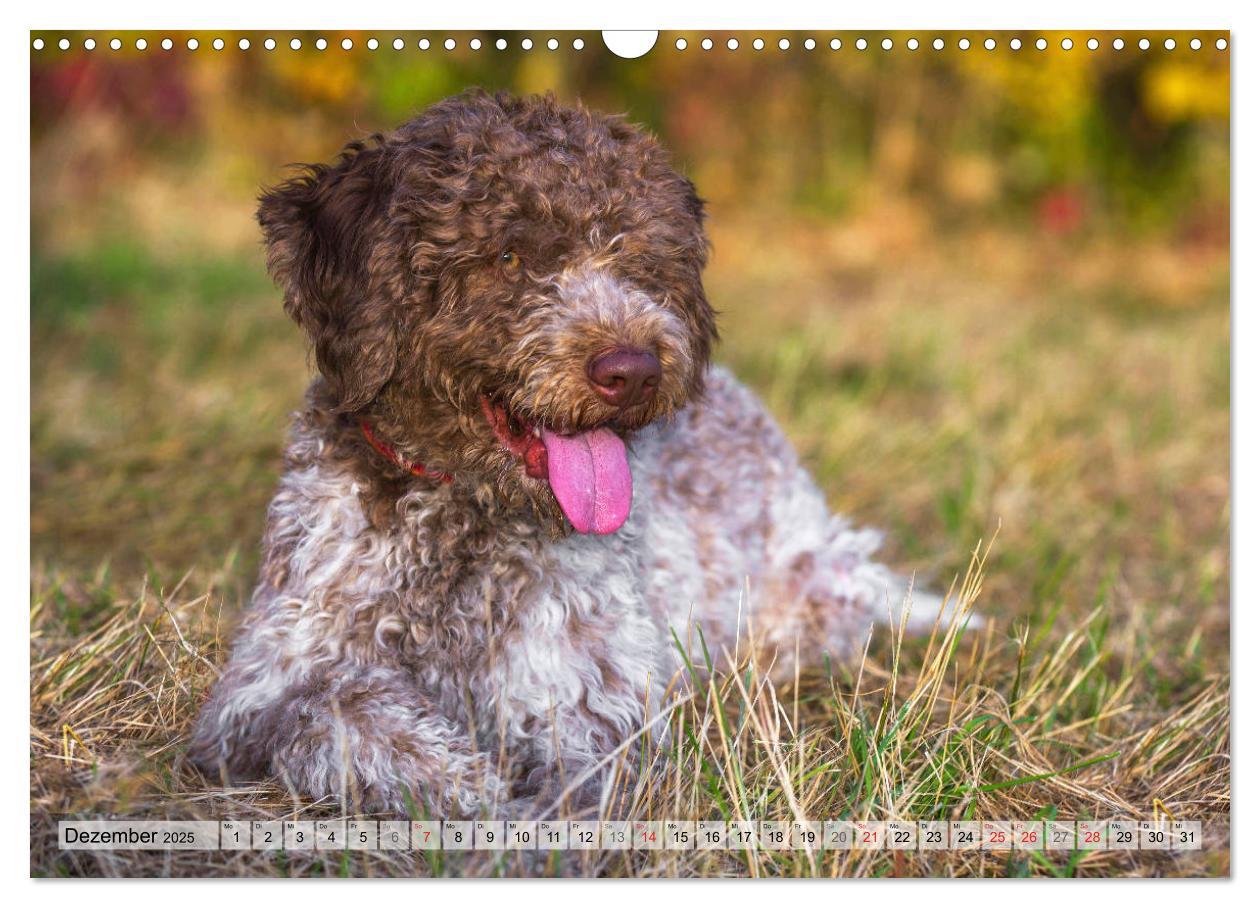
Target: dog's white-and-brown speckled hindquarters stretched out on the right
749, 551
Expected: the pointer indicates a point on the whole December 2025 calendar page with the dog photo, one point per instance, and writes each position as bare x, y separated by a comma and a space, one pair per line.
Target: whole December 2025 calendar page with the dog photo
675, 454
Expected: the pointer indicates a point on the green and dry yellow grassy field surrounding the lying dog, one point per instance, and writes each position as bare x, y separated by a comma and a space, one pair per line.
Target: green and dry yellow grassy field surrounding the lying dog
1041, 425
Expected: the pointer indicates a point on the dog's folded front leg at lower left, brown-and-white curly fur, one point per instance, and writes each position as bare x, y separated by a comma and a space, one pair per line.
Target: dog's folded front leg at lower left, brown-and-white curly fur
361, 735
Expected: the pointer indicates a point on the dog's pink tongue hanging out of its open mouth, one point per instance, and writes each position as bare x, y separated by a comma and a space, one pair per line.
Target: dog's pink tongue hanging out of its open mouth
592, 479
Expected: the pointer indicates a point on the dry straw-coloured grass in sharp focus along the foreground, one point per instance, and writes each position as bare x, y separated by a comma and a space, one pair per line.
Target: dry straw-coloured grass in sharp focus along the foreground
876, 741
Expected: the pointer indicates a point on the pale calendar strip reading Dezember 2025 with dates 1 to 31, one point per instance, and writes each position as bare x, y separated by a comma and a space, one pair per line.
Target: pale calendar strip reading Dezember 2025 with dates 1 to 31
633, 836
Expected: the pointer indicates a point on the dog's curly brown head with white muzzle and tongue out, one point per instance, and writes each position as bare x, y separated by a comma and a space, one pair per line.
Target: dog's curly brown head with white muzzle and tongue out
508, 288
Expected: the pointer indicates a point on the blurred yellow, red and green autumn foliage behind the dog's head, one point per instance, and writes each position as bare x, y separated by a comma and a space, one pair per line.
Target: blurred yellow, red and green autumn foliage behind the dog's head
1074, 142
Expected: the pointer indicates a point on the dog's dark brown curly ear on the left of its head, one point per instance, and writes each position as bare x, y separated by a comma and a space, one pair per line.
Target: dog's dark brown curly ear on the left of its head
326, 239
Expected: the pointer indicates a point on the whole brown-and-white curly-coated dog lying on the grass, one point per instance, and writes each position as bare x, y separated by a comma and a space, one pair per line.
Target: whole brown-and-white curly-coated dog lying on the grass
516, 478
